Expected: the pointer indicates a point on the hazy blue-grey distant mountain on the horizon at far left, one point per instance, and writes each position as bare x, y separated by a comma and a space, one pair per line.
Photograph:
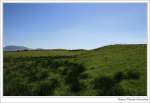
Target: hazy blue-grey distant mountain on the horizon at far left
15, 48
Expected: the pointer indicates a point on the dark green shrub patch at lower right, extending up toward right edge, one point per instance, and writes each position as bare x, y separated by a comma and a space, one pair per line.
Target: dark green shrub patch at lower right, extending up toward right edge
108, 86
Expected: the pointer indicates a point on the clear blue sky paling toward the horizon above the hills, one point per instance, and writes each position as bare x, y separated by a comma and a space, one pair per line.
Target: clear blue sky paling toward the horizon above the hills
74, 26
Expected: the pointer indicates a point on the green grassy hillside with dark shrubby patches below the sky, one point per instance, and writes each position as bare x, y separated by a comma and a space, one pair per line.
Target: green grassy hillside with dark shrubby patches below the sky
113, 70
